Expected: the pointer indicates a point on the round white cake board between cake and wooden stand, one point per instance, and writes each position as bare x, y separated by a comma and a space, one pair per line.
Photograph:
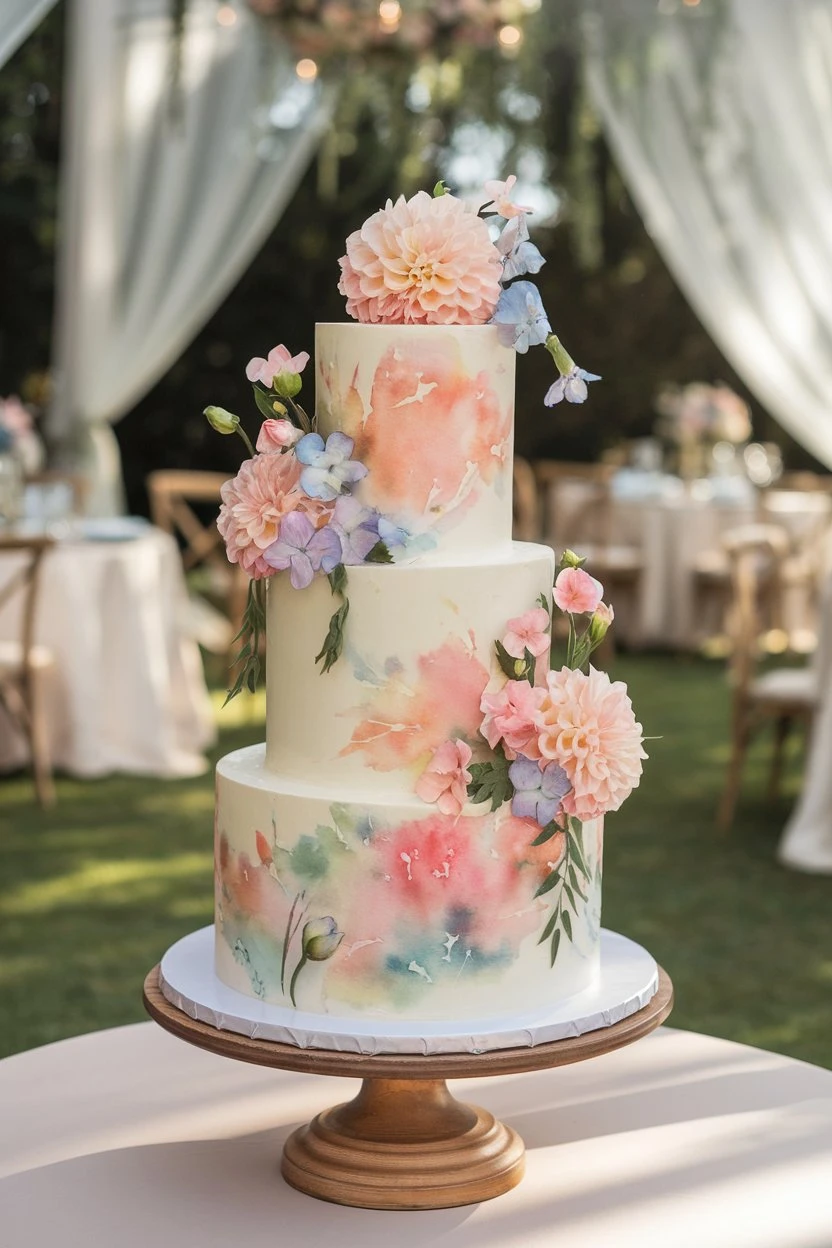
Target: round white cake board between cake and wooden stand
627, 983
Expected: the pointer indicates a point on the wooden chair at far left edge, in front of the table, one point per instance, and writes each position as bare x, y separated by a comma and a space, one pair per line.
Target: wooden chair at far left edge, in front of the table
23, 663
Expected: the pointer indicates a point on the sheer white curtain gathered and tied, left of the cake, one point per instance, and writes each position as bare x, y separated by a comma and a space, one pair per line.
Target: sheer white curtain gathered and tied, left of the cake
179, 159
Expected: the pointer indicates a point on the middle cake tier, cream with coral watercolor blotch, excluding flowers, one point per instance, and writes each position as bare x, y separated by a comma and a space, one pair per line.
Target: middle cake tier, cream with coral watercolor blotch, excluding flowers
420, 652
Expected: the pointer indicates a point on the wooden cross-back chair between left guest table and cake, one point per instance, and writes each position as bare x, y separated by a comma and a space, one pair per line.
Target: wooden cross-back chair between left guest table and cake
216, 606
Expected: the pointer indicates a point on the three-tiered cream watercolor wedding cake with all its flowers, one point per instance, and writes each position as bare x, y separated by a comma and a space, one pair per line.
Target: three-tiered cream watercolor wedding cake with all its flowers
420, 839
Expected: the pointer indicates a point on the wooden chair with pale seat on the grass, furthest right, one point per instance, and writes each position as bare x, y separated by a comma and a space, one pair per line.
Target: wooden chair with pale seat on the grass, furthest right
755, 555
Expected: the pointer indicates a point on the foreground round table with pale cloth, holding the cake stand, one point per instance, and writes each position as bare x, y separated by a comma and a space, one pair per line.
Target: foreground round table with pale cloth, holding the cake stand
132, 1138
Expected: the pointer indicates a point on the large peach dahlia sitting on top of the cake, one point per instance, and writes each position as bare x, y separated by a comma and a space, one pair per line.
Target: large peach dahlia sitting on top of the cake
427, 261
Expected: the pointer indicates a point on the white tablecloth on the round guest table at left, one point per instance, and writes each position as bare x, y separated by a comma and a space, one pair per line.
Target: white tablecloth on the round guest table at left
128, 692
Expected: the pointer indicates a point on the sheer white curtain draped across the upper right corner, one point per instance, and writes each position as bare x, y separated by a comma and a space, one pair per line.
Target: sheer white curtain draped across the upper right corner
720, 118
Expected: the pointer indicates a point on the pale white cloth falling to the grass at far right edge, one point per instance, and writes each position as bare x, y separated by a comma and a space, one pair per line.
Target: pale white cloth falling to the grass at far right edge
806, 844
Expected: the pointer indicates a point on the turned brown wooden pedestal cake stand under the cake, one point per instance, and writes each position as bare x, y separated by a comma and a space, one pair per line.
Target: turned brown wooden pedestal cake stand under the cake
405, 1143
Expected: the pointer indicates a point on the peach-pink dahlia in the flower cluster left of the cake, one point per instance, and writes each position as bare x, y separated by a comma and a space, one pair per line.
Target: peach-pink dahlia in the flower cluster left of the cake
265, 491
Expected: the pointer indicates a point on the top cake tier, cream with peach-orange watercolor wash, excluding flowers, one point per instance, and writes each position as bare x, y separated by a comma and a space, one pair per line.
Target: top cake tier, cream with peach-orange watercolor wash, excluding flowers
432, 412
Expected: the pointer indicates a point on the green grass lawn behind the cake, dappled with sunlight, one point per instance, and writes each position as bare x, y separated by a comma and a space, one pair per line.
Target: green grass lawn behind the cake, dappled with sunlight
93, 893
